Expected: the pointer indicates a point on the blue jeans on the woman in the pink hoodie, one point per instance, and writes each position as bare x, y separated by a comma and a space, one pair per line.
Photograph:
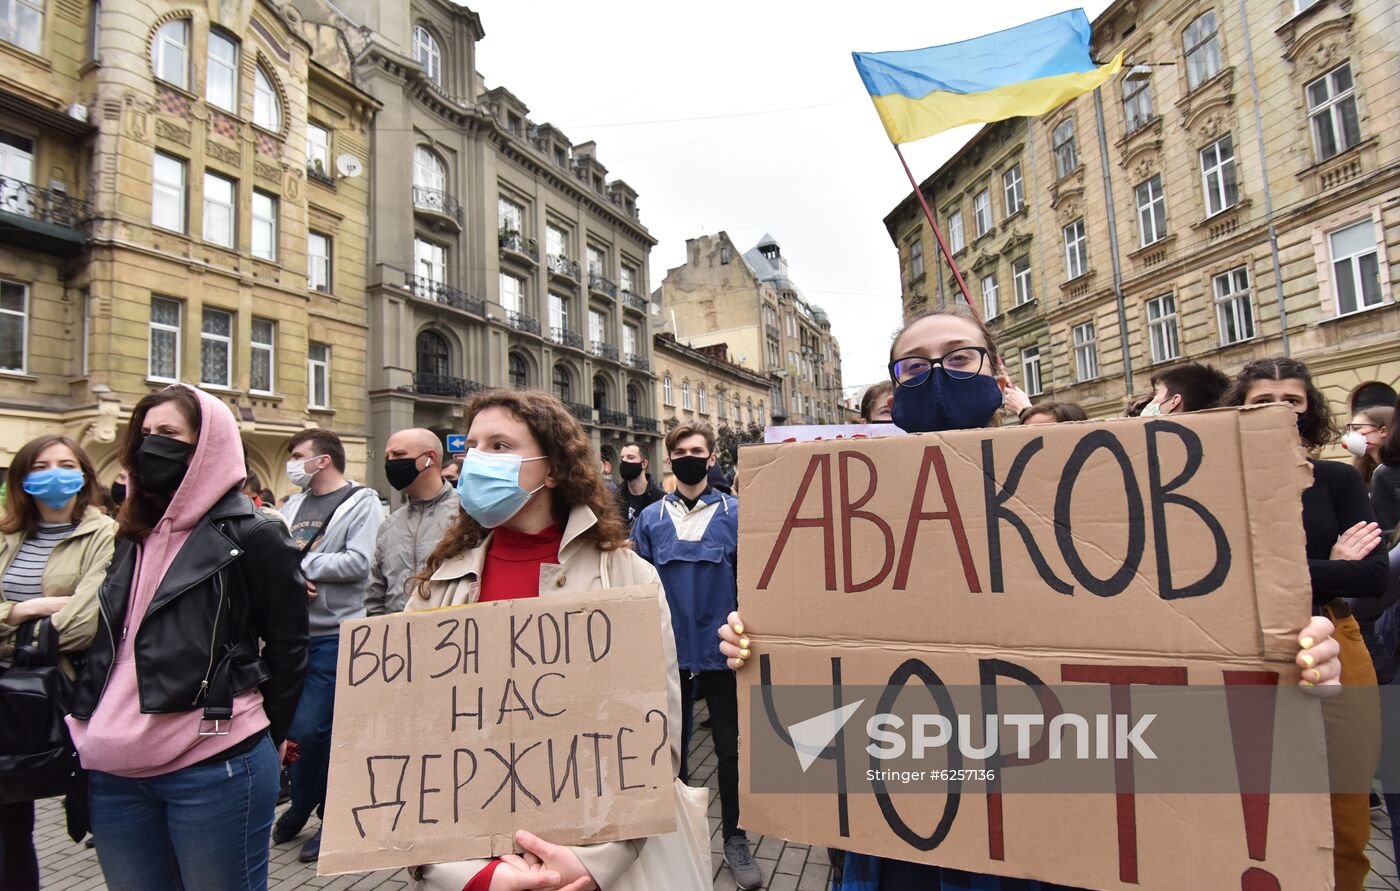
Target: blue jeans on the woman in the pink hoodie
204, 827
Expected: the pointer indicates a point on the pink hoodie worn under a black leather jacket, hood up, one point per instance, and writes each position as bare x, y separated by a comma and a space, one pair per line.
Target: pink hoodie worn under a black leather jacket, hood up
120, 739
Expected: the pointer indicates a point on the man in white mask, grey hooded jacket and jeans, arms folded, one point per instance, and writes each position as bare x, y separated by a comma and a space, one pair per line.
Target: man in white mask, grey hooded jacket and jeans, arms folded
334, 523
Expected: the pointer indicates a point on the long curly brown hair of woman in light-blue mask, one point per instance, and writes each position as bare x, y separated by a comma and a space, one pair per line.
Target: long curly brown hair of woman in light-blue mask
570, 455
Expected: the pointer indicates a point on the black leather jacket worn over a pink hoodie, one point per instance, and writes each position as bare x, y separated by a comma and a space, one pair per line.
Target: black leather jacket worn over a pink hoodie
236, 582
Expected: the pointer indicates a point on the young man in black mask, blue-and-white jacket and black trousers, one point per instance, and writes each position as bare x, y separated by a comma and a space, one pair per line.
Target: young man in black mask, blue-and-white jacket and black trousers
692, 539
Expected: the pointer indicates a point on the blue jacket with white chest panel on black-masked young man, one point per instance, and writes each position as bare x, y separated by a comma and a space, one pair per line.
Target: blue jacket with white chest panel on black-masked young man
696, 554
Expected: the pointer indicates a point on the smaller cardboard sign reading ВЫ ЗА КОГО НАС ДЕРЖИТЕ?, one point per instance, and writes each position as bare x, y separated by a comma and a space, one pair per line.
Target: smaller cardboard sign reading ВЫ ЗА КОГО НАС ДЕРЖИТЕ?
457, 728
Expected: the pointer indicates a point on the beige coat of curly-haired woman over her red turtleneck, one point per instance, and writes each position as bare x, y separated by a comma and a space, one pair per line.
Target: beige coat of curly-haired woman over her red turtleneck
583, 567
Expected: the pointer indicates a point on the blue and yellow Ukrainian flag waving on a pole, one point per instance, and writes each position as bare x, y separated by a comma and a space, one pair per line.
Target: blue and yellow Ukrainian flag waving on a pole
1021, 72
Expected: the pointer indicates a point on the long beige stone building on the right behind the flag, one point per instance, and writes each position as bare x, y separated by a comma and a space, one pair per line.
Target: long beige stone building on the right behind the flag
1231, 239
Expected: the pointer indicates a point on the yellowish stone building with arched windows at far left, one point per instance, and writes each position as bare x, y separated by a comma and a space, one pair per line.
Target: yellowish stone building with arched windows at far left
167, 214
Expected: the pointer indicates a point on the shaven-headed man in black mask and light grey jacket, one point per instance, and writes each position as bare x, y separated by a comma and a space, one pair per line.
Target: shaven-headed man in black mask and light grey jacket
412, 466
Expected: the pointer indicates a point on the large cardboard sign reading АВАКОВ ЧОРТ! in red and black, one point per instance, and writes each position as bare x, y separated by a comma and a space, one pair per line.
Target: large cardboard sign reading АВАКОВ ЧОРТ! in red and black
1115, 554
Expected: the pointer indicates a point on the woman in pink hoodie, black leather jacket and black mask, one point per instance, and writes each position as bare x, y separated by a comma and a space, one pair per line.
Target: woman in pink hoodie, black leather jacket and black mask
198, 663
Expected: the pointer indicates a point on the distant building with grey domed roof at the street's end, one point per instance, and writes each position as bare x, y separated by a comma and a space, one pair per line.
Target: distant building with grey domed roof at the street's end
750, 303
